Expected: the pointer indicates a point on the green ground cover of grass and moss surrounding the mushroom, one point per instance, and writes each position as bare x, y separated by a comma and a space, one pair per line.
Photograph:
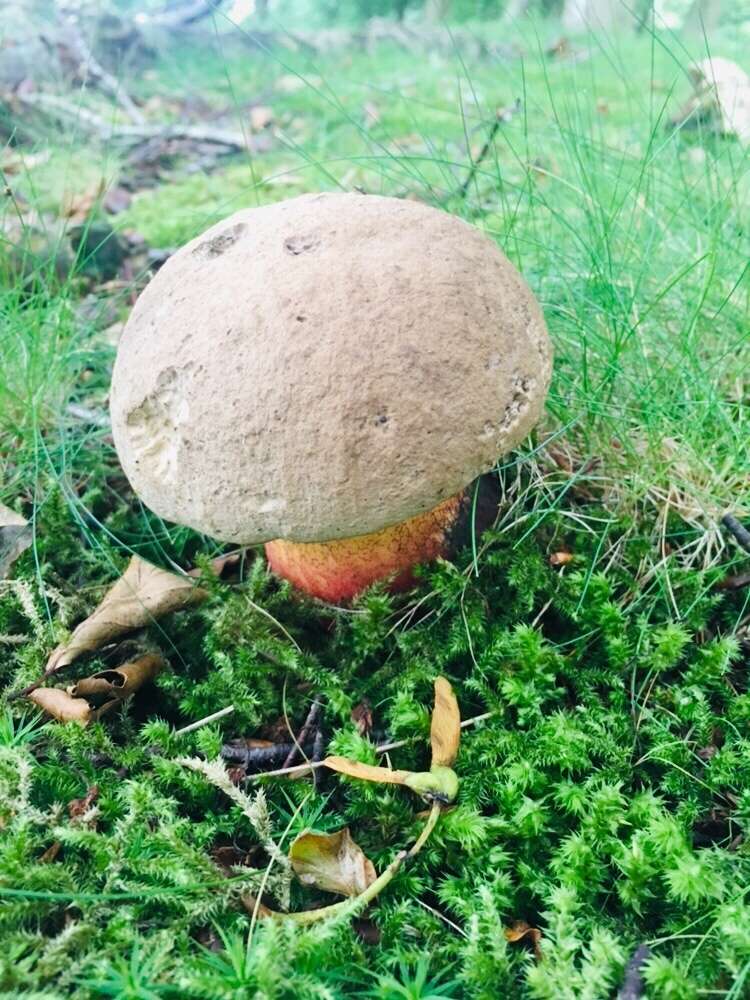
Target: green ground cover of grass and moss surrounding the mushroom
603, 800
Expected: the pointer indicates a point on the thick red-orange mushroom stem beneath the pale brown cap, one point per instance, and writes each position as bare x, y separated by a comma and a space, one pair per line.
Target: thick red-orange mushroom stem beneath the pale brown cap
337, 571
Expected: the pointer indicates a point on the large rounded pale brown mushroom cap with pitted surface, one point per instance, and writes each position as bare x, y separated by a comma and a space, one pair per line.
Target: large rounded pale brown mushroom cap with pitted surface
325, 367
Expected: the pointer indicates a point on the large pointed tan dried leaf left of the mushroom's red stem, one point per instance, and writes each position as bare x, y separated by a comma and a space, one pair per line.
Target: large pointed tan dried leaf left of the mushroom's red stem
142, 594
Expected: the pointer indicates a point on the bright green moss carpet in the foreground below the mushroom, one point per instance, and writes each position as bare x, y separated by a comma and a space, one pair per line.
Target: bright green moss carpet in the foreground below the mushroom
604, 800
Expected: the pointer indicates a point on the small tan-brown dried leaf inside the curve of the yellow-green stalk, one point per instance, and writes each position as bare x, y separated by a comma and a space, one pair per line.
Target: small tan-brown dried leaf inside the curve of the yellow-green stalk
332, 862
